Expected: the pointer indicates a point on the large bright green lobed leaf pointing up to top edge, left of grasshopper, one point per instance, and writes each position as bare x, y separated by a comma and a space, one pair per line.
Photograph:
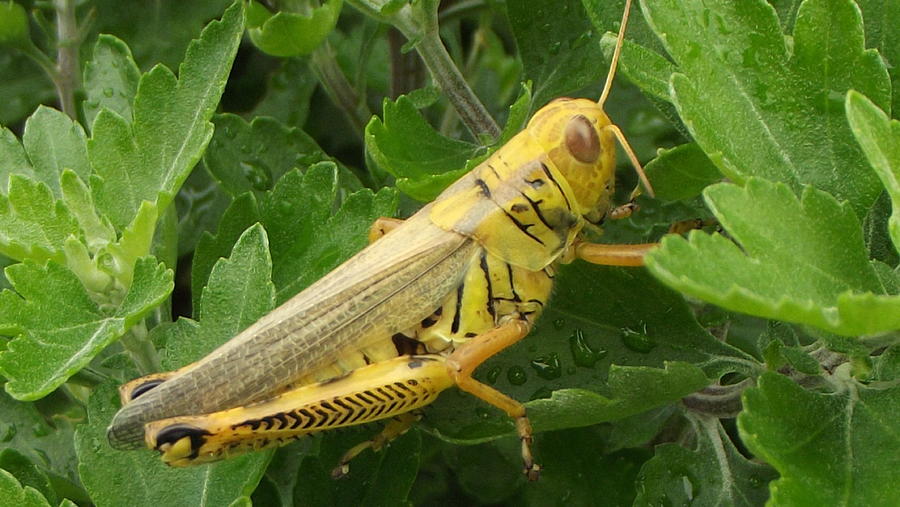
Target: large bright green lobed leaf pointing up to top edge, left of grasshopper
149, 159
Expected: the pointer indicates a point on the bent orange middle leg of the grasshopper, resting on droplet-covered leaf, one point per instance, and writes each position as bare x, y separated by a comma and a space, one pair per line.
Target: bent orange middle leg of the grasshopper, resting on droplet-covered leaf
463, 361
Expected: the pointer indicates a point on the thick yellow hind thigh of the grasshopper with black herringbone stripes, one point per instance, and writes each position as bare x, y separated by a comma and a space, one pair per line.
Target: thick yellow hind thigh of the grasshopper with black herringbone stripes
376, 391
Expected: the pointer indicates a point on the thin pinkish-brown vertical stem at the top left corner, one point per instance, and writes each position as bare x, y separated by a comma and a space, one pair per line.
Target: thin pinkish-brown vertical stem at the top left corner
67, 78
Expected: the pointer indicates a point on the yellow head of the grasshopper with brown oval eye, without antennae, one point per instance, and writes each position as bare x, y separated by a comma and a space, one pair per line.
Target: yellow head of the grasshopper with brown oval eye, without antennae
573, 134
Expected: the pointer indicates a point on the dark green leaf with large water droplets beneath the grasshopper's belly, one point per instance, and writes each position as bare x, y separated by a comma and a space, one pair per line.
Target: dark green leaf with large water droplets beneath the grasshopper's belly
613, 342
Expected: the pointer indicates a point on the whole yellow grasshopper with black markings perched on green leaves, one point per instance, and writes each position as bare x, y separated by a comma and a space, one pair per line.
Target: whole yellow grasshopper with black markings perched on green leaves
414, 313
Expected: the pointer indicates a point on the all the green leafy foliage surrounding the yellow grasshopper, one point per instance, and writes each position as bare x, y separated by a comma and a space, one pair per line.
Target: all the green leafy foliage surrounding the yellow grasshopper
190, 187
